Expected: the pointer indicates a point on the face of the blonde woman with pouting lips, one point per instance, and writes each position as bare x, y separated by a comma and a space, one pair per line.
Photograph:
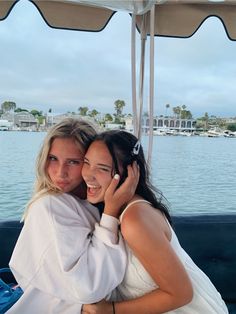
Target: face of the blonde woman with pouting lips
64, 164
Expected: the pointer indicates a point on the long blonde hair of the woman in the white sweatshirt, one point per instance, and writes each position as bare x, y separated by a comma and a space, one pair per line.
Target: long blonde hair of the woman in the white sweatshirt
81, 131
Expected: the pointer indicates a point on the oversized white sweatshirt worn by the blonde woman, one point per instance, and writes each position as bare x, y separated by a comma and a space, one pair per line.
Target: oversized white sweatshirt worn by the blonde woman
67, 252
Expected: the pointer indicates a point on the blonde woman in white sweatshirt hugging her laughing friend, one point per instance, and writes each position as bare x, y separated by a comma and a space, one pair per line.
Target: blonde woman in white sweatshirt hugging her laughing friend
67, 254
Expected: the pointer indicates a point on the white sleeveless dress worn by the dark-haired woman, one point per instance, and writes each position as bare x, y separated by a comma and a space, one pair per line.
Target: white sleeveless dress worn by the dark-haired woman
137, 282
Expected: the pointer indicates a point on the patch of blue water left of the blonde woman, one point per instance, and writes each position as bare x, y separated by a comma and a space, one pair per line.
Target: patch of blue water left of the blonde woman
18, 151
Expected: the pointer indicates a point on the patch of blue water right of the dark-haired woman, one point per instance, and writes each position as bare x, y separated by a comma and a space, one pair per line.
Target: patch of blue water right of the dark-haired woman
197, 174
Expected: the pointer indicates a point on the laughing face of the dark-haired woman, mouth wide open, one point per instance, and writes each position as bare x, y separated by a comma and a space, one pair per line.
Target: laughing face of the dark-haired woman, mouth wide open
97, 171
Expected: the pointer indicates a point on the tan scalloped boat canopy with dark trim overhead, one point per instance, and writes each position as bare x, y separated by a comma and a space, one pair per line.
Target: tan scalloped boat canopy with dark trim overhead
177, 18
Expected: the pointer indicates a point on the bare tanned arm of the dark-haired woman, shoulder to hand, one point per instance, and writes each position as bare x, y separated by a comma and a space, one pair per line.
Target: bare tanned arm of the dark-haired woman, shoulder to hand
148, 236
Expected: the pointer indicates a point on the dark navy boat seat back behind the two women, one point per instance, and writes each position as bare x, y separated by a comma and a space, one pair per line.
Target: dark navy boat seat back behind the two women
209, 239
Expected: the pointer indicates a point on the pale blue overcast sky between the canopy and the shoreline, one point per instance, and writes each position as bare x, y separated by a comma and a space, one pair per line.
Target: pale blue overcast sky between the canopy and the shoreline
44, 68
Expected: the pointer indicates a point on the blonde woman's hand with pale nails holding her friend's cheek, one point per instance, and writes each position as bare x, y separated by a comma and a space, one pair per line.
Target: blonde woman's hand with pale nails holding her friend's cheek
115, 197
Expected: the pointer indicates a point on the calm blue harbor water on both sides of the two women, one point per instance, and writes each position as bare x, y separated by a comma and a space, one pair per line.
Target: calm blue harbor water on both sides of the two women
196, 174
